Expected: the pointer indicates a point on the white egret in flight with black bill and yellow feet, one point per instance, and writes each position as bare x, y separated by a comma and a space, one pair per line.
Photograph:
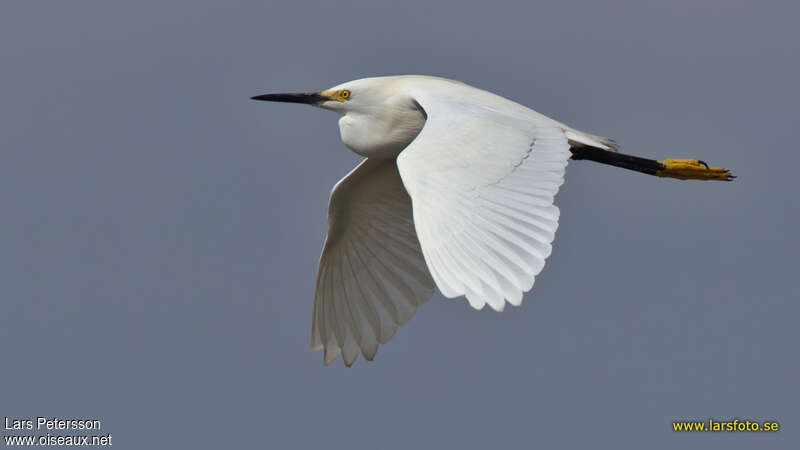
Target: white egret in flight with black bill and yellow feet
455, 191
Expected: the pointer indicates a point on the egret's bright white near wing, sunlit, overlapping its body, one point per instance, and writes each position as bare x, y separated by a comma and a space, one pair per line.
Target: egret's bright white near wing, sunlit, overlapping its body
482, 175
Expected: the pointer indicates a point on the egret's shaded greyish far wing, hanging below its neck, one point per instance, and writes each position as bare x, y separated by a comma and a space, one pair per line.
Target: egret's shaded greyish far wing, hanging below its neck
372, 276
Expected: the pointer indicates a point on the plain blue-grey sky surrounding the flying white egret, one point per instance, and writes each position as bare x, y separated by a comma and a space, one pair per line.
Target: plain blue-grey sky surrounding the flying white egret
160, 231
